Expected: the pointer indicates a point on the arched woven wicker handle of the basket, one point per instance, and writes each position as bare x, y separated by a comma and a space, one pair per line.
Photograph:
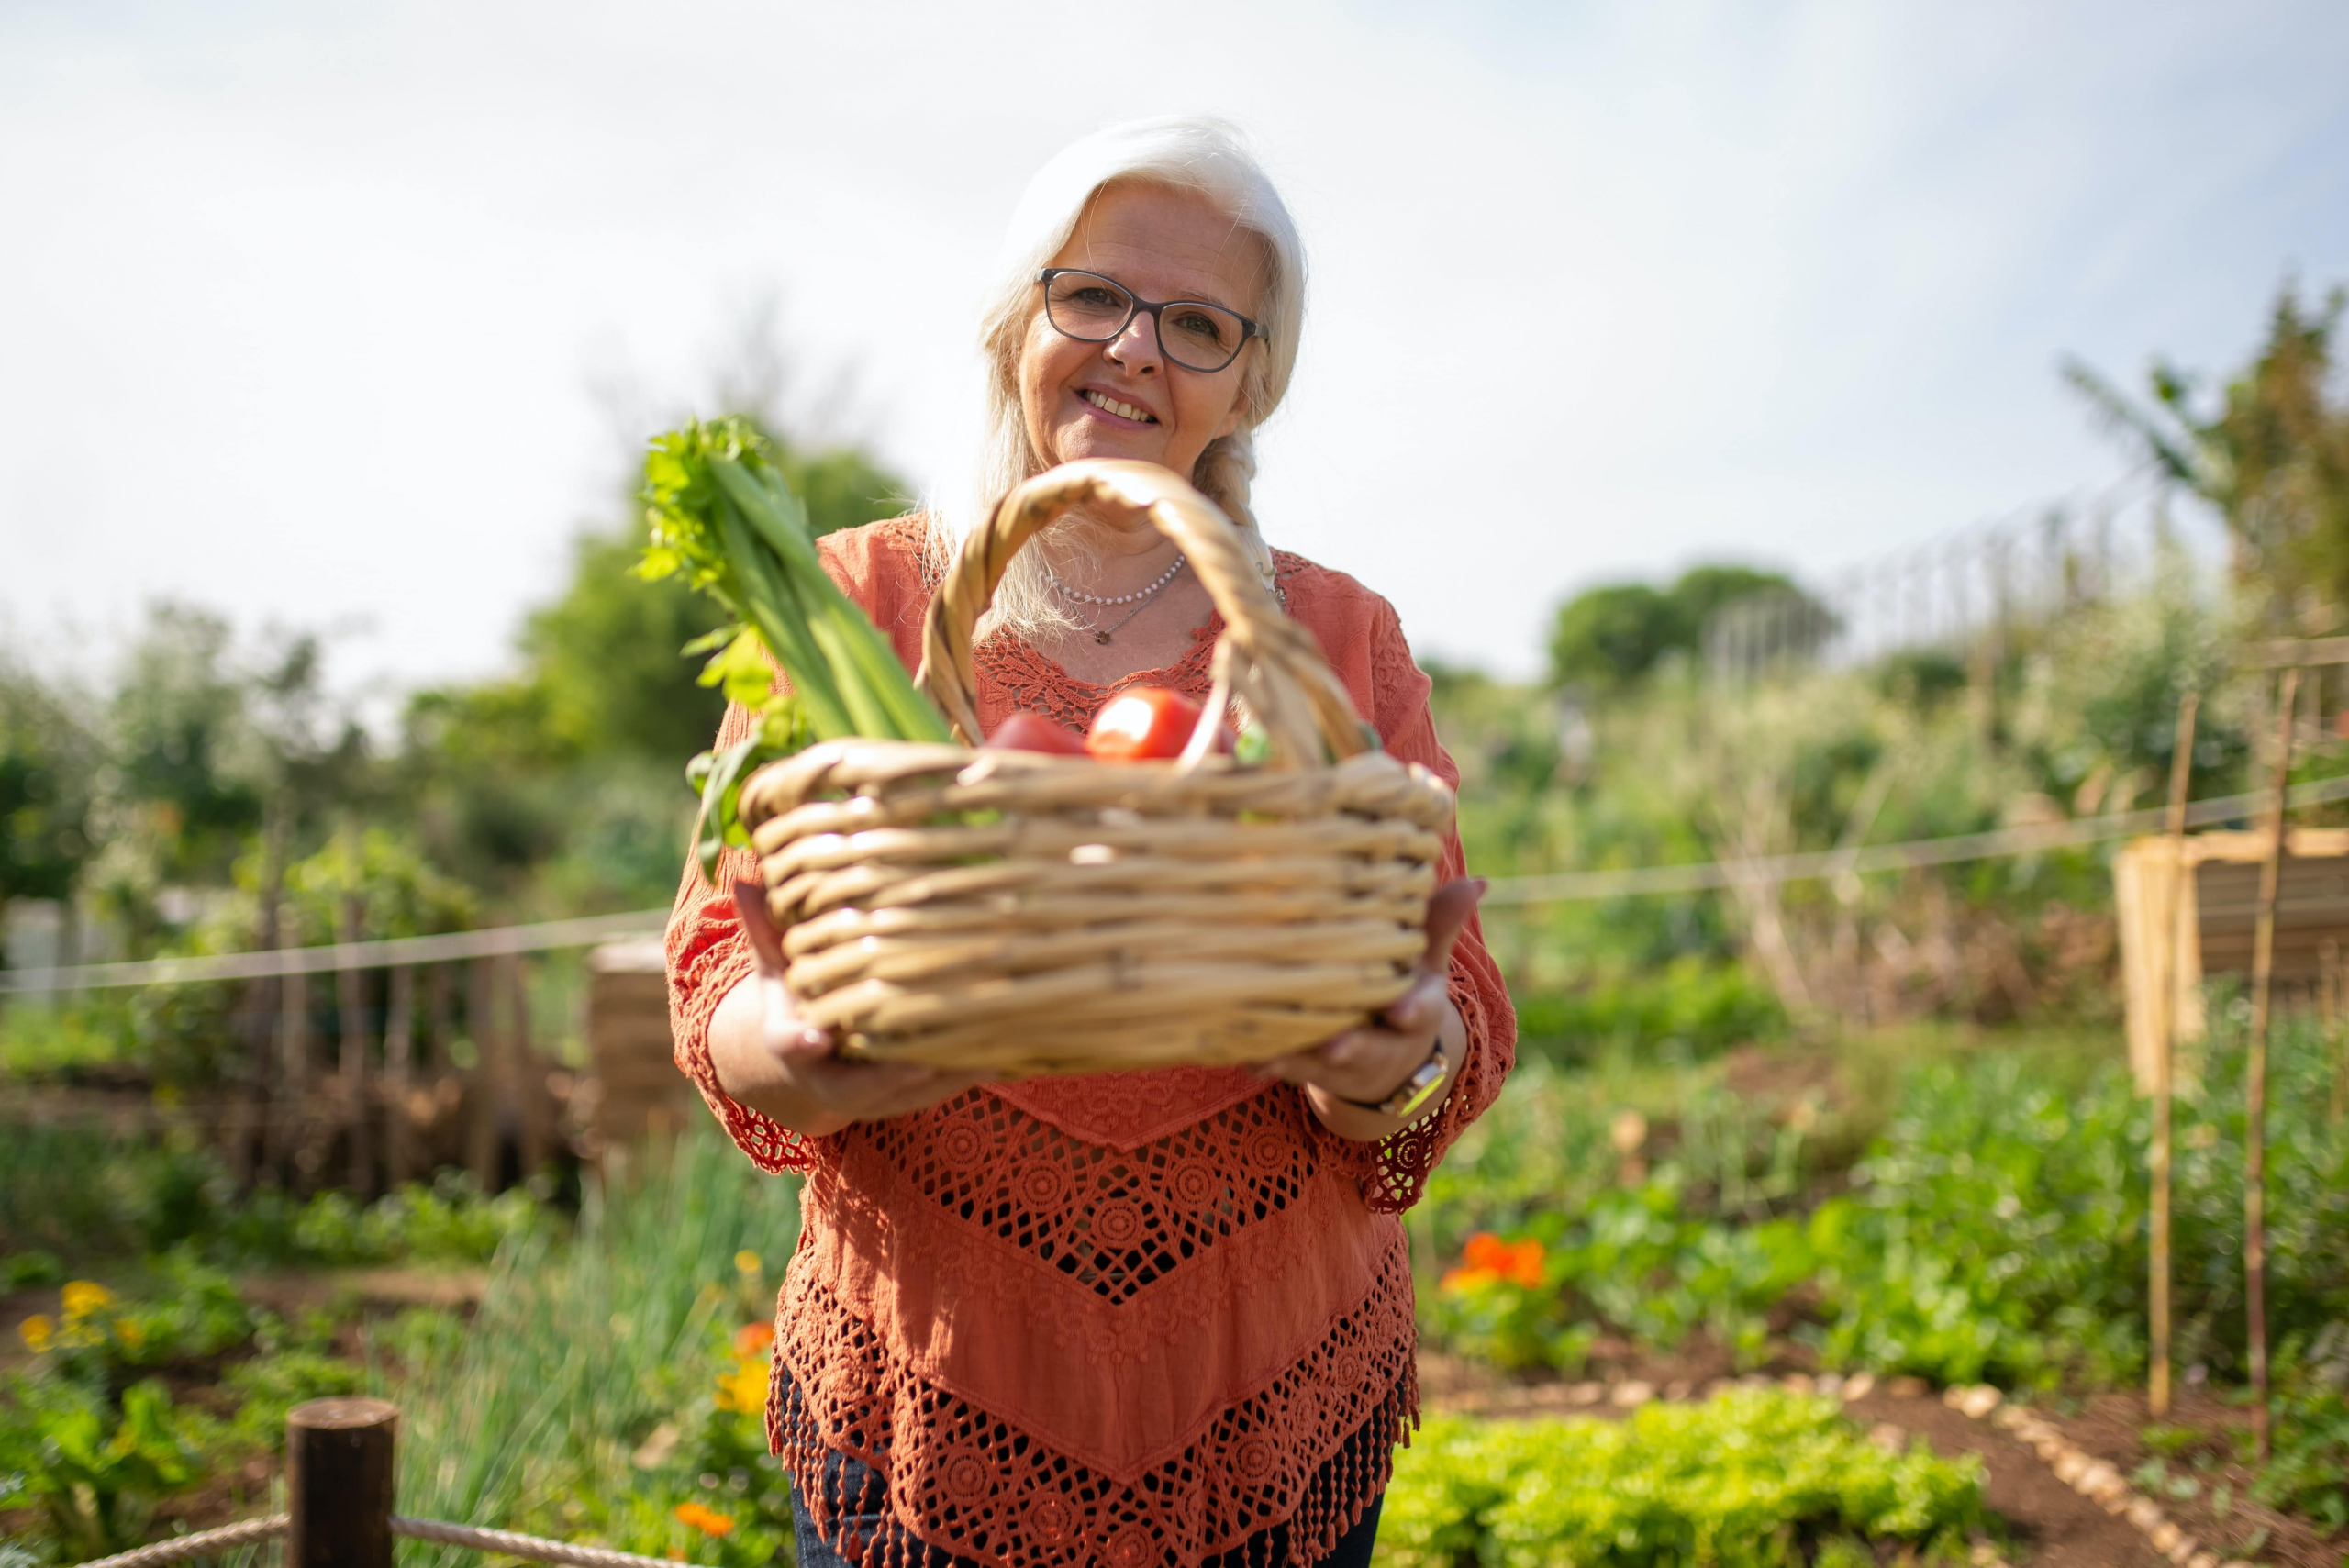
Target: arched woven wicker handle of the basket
1265, 658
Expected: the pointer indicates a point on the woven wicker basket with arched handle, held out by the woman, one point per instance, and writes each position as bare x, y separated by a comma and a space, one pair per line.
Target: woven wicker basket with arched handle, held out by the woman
1051, 914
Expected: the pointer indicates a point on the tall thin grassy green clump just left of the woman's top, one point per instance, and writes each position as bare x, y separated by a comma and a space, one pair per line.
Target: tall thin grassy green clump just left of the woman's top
548, 1410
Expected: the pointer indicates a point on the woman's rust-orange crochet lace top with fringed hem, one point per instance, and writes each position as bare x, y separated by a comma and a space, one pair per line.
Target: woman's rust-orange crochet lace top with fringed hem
1101, 1320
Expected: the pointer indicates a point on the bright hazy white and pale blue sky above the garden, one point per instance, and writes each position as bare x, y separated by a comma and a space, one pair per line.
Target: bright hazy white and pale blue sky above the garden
346, 316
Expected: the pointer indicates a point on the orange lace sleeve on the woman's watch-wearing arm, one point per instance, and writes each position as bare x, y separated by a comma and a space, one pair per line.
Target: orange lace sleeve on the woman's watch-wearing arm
1394, 1172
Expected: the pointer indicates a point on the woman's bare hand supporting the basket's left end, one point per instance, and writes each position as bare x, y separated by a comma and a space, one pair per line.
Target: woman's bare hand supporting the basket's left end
786, 1069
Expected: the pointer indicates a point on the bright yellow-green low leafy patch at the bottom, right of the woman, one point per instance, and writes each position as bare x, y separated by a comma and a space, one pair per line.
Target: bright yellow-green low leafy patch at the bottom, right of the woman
1751, 1480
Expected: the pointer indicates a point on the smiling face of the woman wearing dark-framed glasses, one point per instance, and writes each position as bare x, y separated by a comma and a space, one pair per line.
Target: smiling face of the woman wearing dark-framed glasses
1164, 245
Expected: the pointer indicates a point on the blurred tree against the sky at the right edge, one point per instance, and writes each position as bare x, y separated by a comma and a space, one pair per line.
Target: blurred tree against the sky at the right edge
2273, 457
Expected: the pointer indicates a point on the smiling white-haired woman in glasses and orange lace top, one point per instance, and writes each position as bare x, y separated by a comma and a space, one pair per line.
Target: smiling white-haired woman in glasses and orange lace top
1143, 1318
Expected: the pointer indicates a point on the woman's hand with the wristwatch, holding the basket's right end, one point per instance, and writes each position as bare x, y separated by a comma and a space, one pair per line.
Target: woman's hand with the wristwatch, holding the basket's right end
1368, 1065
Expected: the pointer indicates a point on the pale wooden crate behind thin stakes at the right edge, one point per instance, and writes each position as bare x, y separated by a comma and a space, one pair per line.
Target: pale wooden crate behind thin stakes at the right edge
2176, 931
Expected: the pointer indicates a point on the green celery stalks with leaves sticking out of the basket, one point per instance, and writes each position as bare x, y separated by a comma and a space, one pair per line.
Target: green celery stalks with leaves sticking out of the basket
722, 518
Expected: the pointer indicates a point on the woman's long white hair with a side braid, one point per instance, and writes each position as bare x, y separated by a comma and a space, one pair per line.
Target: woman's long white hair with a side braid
1187, 154
